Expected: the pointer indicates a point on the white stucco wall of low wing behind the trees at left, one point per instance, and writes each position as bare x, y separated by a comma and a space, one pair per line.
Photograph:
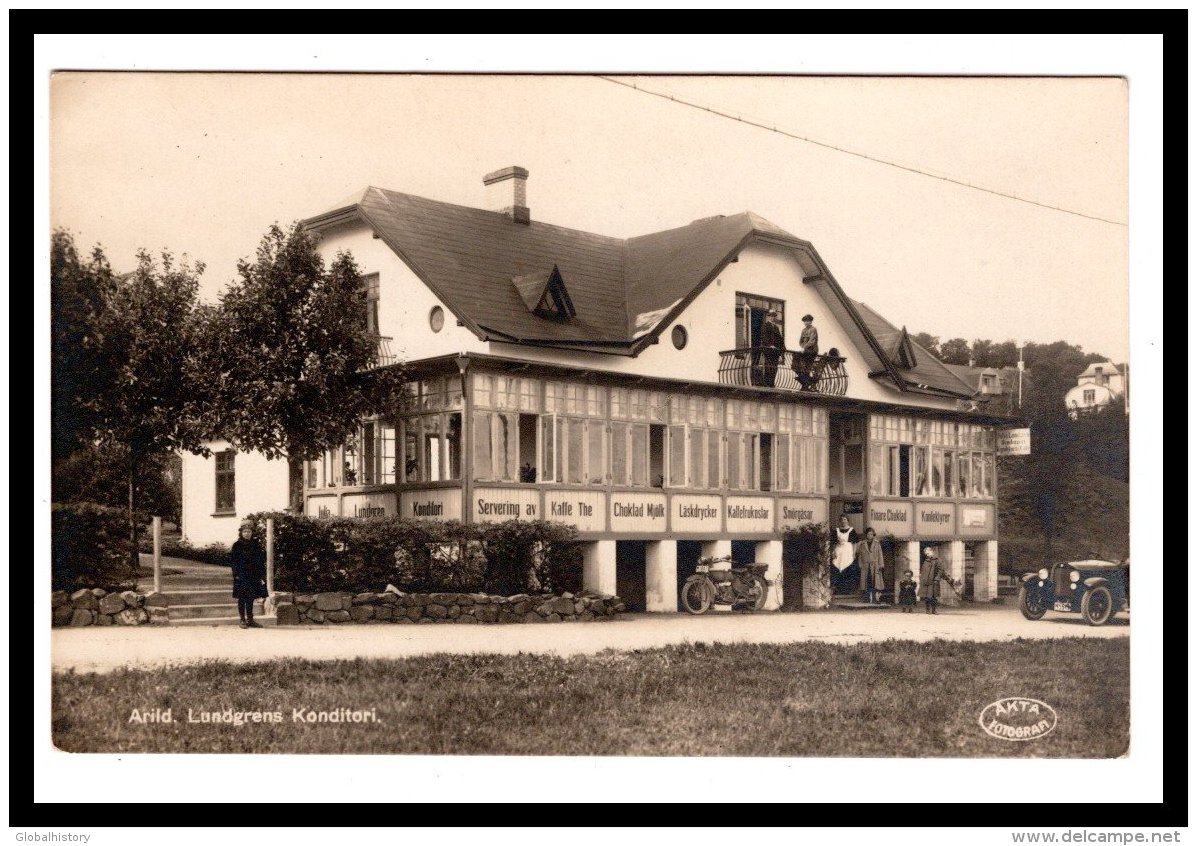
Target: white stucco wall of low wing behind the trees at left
262, 485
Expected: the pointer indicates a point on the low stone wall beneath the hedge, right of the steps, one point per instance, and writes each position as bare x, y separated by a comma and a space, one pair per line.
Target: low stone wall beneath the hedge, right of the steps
394, 606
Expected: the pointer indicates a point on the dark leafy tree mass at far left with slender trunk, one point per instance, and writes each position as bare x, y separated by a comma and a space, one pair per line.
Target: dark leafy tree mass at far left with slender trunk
126, 362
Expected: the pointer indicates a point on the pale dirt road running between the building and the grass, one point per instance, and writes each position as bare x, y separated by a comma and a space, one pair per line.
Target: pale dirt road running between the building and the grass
100, 650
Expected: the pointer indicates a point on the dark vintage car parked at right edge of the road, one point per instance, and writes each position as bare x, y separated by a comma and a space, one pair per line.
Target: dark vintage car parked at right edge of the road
1096, 589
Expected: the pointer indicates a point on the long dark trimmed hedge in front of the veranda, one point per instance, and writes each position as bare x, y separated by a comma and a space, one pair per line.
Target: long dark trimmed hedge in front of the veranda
356, 556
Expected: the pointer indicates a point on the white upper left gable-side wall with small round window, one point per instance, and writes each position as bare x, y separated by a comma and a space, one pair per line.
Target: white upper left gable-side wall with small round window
404, 300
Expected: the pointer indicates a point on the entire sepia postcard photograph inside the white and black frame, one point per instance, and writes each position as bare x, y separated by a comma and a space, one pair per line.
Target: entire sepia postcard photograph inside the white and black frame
746, 421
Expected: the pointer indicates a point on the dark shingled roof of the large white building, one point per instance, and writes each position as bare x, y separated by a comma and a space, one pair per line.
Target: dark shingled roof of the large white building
493, 273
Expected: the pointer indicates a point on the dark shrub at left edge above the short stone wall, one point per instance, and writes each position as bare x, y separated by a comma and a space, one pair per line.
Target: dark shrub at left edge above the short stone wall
90, 547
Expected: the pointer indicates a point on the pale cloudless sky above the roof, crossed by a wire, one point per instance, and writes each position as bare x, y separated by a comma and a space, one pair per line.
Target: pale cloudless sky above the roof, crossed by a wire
202, 165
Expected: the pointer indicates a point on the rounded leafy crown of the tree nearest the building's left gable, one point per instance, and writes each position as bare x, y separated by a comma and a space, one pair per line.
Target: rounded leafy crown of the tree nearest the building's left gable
290, 356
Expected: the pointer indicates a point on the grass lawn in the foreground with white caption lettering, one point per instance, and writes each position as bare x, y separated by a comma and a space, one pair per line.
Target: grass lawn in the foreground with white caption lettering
890, 699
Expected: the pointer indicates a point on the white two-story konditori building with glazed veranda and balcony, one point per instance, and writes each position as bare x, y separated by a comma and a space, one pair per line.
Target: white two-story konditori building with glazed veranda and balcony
631, 388
